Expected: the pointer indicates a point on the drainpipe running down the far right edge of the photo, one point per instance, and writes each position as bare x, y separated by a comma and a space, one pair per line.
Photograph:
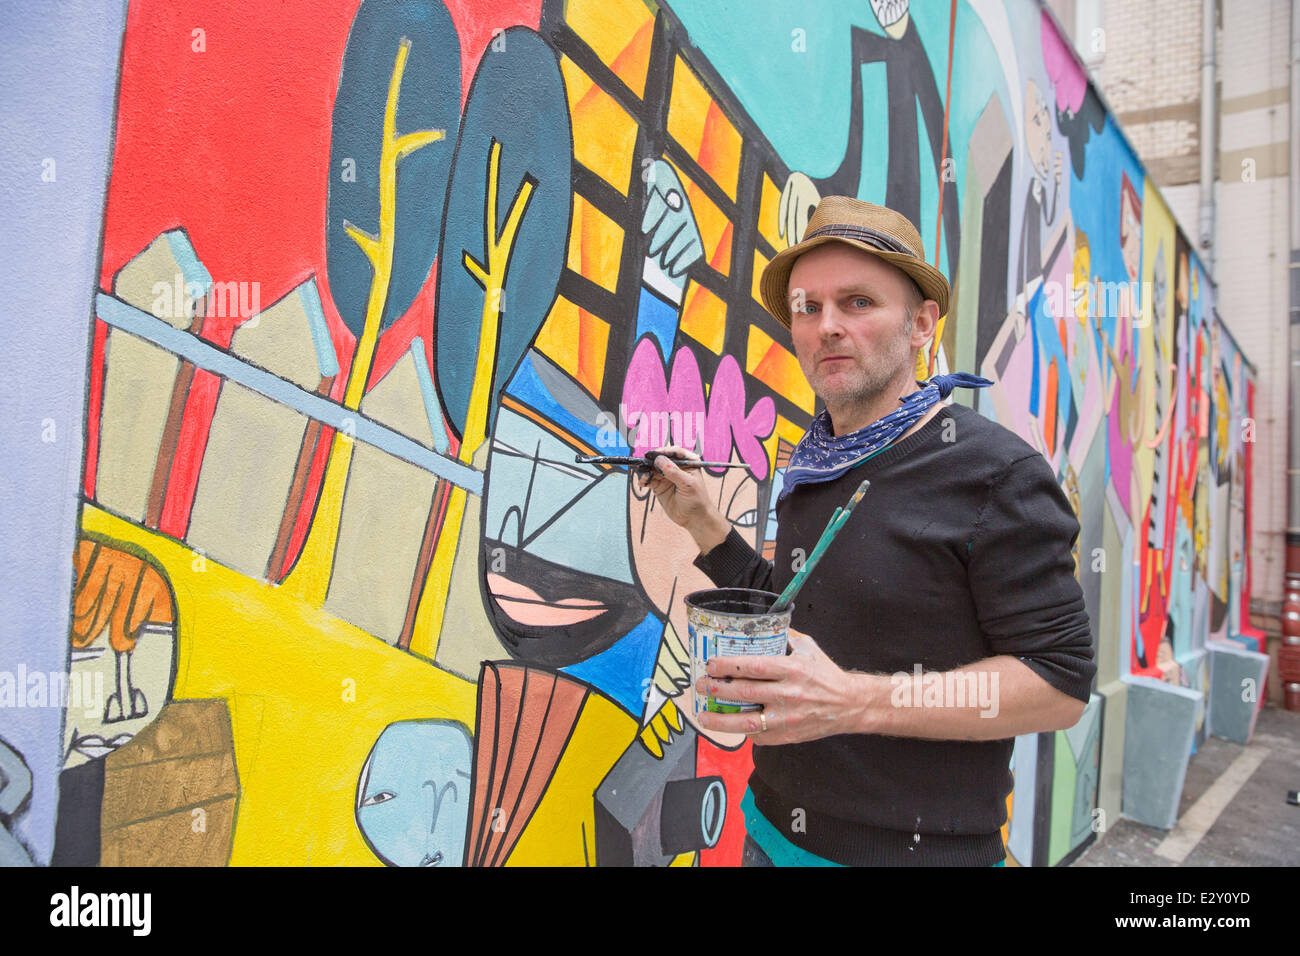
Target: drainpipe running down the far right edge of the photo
1289, 657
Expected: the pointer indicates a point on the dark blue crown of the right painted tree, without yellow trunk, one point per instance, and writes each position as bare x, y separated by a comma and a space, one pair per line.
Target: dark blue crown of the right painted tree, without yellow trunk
517, 102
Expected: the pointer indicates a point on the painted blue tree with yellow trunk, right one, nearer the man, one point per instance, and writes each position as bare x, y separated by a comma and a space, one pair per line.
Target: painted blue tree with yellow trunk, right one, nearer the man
506, 228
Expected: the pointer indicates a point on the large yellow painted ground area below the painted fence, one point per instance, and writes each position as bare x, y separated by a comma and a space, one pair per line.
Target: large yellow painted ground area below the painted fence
288, 671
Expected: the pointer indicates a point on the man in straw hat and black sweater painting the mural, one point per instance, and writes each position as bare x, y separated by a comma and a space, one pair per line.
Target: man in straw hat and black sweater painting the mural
943, 621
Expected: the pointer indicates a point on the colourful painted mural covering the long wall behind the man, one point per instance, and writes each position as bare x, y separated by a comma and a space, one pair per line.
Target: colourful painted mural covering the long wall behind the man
375, 274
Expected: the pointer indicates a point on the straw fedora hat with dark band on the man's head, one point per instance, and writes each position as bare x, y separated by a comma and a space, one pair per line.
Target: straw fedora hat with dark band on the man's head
872, 228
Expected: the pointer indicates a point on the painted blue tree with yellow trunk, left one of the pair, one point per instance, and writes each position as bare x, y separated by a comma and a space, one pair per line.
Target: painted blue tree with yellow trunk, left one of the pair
398, 100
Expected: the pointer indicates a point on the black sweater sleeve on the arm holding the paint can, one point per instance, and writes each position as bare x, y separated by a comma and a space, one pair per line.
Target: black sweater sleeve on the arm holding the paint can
1022, 578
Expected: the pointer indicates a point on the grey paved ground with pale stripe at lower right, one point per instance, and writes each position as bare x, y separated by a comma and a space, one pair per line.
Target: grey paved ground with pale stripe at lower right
1254, 827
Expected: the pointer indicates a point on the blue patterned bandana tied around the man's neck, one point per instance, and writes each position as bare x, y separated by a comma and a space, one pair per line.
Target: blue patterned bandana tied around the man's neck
822, 456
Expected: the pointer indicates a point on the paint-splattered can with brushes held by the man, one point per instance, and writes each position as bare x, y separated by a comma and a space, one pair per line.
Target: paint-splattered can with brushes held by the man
733, 622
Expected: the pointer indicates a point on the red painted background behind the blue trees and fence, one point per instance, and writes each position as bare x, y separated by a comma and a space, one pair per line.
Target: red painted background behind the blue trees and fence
226, 133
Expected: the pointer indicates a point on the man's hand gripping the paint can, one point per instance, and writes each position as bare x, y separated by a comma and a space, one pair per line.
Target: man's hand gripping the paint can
805, 695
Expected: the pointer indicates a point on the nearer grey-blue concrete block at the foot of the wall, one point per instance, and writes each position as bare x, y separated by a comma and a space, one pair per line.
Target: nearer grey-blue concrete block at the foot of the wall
1160, 726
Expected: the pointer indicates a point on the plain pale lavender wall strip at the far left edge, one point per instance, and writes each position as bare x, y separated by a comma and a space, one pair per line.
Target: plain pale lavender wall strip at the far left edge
59, 72
